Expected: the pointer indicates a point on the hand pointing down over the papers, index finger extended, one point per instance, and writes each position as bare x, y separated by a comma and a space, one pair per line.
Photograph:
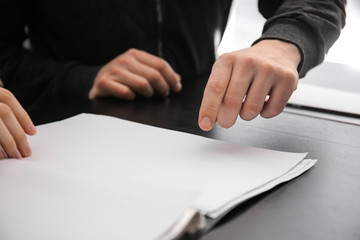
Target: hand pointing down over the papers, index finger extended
240, 82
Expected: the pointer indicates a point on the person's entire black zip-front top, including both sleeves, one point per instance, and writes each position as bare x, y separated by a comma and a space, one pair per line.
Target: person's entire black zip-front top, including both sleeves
72, 40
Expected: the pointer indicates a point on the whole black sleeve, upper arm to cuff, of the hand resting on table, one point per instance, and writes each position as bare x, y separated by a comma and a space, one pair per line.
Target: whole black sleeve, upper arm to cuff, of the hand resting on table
33, 78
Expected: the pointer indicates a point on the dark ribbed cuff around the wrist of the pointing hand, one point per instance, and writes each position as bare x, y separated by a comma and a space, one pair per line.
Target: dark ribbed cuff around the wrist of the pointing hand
295, 33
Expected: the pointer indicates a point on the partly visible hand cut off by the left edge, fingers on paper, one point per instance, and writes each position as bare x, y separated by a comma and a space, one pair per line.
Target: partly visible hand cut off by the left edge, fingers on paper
14, 123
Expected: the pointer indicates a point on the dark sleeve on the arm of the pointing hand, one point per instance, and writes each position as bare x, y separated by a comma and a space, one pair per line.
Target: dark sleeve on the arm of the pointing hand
312, 25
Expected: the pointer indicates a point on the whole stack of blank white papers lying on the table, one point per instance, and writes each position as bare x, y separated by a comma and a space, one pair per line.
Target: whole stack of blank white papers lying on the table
100, 177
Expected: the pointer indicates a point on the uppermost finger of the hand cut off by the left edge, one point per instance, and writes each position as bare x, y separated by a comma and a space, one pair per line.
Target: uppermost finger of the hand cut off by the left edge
21, 115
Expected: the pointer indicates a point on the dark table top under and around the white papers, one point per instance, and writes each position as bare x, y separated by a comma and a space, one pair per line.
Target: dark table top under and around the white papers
323, 203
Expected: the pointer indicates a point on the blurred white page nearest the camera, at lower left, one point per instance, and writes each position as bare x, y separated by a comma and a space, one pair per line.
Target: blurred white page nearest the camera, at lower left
41, 203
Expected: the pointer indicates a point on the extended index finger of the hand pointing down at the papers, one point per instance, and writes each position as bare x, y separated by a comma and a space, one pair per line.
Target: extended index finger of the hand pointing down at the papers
214, 93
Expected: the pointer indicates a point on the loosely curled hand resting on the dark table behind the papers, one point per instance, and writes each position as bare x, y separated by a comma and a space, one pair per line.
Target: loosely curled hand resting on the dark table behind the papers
135, 72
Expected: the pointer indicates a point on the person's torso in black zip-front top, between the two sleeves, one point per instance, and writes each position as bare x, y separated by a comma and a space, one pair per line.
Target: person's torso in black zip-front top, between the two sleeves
94, 32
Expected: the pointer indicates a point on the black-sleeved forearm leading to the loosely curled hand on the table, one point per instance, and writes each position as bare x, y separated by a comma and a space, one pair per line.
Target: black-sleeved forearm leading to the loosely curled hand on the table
36, 80
